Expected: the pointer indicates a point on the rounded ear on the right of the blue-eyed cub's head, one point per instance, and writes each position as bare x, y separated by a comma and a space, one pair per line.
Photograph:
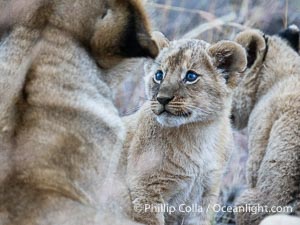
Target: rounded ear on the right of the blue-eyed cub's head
230, 58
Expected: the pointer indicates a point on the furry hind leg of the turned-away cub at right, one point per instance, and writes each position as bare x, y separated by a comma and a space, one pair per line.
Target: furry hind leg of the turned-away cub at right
278, 176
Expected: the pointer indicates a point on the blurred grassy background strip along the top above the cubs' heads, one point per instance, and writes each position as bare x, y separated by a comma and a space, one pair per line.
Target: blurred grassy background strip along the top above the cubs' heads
214, 19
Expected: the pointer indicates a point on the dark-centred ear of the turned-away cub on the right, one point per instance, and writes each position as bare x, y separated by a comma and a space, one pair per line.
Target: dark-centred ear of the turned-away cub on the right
255, 44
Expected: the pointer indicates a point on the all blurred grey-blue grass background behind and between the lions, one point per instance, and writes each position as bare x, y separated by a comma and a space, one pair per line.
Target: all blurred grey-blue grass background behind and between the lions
212, 20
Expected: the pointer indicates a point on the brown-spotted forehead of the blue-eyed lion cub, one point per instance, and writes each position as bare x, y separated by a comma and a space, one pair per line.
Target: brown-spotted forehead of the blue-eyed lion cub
183, 52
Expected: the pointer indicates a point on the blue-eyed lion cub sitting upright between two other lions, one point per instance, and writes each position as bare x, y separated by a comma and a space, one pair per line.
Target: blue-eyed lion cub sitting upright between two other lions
179, 142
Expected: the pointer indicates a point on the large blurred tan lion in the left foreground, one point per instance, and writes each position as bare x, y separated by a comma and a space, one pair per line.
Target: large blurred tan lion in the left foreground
59, 128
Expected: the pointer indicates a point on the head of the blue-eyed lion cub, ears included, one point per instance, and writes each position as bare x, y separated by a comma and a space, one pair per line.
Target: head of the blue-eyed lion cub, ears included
191, 80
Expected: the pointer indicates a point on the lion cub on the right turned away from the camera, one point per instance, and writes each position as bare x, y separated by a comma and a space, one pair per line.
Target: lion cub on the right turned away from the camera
268, 100
